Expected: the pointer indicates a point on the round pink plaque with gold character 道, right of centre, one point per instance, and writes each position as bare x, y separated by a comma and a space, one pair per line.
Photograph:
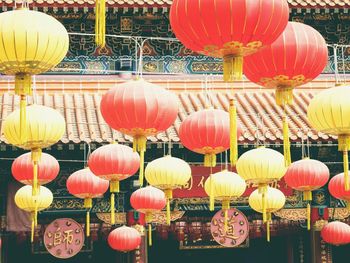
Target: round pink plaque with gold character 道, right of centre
237, 228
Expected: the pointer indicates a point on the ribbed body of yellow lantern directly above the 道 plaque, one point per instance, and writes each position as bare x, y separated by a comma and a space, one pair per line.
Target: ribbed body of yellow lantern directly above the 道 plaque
225, 184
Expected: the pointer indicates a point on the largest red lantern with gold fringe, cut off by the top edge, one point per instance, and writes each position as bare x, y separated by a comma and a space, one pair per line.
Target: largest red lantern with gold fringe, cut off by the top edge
228, 29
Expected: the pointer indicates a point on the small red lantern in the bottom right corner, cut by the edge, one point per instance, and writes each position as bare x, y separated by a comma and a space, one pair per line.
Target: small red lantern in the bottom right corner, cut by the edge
336, 233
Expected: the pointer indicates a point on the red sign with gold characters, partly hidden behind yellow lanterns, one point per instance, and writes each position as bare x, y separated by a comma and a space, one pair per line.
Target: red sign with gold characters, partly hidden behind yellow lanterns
195, 187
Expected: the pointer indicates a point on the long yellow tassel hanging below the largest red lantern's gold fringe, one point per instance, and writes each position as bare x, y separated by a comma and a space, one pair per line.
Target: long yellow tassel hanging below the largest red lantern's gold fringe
233, 134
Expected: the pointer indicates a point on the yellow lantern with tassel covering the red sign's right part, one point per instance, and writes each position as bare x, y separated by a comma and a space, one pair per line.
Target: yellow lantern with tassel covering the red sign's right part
260, 167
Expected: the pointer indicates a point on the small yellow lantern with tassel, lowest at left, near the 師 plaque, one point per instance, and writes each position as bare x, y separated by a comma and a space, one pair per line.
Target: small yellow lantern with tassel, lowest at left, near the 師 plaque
32, 204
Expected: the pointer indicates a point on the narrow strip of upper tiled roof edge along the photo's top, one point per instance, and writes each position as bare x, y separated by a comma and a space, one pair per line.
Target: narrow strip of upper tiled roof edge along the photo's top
167, 3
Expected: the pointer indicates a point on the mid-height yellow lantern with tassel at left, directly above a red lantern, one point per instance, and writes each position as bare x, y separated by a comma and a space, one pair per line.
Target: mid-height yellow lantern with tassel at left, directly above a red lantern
45, 127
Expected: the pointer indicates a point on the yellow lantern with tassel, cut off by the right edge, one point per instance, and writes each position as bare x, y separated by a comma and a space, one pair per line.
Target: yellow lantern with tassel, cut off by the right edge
329, 112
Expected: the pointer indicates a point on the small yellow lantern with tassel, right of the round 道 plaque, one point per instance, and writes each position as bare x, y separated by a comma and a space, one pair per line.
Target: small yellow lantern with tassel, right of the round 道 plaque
275, 200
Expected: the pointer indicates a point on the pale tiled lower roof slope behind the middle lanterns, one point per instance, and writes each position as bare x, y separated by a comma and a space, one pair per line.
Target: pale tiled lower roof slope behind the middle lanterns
258, 113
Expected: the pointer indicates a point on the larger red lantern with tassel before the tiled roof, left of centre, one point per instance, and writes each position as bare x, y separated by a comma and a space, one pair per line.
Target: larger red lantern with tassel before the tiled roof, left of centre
139, 109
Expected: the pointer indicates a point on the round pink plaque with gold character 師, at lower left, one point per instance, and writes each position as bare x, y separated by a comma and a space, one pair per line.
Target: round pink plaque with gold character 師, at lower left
64, 238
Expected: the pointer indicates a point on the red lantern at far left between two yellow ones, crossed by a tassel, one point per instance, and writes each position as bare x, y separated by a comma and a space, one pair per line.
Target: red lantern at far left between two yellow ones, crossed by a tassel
22, 169
